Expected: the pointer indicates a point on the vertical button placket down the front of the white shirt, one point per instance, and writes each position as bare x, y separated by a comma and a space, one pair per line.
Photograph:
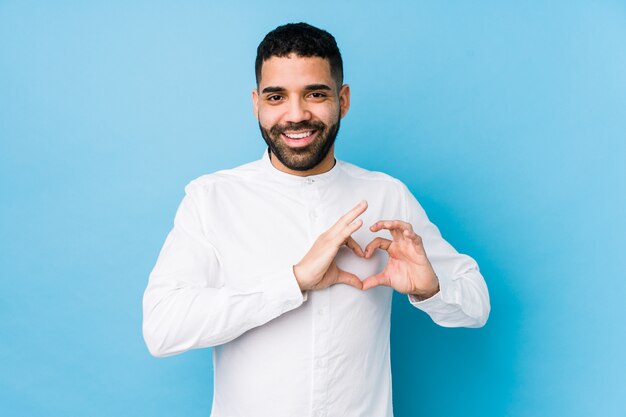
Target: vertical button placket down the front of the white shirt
321, 312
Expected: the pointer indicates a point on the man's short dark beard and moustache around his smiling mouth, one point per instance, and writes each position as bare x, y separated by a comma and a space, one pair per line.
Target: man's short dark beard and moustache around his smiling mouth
305, 158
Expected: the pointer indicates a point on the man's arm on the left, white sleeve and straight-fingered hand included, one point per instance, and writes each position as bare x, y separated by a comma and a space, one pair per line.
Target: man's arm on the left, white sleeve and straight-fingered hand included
189, 304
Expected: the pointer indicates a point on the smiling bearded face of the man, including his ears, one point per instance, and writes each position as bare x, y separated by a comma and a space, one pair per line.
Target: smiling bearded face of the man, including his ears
299, 105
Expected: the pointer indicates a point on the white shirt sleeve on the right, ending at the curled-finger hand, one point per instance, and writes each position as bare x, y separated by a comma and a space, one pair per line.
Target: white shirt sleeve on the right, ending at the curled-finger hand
463, 299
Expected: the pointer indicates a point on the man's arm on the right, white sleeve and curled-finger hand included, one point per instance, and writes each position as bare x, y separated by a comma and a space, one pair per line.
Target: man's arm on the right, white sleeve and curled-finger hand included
437, 279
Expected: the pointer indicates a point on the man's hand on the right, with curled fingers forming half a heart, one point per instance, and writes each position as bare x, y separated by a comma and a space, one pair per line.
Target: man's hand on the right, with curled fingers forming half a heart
408, 270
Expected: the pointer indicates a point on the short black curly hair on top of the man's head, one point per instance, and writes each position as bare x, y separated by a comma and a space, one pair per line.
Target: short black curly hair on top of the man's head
302, 40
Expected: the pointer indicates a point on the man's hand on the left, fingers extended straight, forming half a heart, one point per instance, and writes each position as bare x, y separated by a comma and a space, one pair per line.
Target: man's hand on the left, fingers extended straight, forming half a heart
318, 269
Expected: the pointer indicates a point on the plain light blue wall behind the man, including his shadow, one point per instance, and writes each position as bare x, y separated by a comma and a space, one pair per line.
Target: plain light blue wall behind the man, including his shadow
506, 119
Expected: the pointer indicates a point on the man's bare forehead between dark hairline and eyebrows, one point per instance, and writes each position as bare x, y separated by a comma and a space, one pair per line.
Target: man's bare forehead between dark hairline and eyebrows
295, 71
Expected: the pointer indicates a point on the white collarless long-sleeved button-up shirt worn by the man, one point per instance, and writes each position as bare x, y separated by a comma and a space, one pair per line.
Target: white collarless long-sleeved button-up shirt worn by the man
224, 278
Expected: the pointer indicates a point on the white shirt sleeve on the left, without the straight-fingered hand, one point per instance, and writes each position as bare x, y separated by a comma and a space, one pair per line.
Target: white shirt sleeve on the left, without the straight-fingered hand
188, 303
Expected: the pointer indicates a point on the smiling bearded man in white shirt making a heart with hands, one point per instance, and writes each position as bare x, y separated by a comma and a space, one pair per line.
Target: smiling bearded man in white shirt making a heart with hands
270, 264
